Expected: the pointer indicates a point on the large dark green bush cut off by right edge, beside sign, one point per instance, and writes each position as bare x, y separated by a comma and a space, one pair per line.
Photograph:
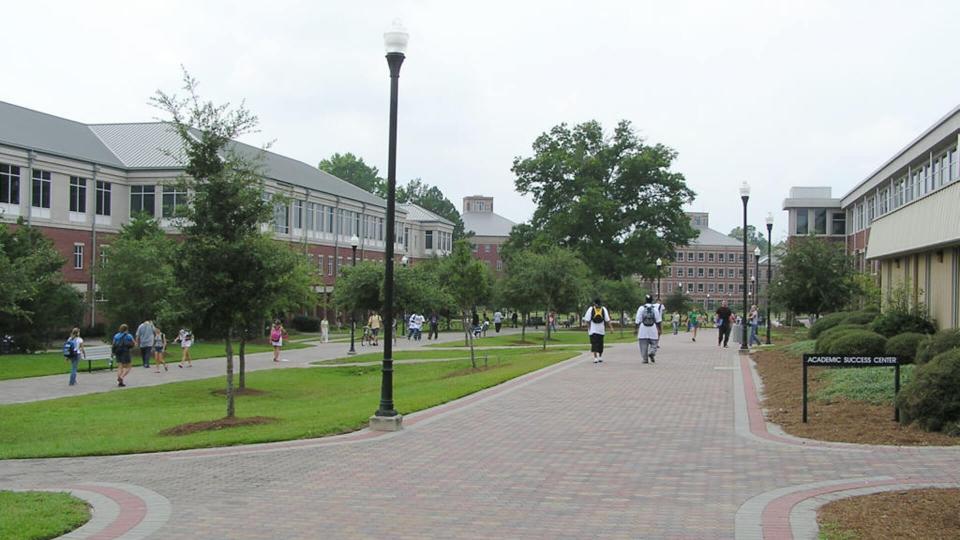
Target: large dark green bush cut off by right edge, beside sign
932, 398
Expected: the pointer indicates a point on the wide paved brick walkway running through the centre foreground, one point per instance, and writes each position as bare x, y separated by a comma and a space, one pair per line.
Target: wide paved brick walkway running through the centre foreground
617, 450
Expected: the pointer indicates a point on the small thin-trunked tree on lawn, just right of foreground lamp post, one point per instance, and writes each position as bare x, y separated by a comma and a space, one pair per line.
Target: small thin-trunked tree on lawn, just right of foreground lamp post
468, 283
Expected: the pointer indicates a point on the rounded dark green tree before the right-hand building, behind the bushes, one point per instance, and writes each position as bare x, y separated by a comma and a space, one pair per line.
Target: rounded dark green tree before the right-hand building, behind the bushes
815, 277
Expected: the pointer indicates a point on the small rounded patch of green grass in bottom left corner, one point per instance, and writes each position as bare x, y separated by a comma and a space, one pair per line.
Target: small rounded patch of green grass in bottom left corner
38, 515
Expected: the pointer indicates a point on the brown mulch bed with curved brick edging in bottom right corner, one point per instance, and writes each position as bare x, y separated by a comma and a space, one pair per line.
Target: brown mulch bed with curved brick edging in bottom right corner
933, 513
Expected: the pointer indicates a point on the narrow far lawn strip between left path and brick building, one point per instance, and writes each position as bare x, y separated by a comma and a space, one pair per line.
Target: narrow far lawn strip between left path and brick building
19, 366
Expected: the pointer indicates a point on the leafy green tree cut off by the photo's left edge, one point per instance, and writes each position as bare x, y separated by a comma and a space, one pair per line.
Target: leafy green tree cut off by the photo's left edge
34, 299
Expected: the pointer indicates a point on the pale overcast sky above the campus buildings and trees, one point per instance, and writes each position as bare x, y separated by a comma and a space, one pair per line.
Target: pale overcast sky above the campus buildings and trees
777, 93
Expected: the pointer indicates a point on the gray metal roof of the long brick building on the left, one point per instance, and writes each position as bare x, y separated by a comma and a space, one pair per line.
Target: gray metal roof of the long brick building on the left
150, 146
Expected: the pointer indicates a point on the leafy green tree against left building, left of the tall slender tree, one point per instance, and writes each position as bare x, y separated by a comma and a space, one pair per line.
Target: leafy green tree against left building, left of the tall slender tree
138, 279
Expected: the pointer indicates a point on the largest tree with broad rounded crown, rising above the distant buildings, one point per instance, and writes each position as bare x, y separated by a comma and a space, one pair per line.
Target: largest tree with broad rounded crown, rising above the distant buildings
613, 200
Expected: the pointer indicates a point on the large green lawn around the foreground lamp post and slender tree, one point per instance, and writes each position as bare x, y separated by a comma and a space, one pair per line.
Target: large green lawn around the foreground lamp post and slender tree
308, 403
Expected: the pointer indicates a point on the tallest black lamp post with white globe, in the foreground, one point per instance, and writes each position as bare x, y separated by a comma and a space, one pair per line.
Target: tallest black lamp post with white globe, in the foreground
386, 418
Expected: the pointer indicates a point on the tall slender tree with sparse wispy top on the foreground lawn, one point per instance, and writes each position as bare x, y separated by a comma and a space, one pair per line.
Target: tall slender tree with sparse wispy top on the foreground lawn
224, 219
